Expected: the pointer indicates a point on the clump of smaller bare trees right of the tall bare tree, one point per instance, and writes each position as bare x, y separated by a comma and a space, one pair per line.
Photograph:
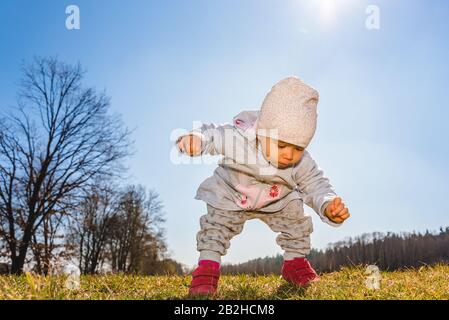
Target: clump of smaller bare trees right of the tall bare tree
121, 229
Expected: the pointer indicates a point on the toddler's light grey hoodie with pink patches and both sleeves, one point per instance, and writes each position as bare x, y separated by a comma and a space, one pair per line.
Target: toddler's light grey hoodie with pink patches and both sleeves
245, 180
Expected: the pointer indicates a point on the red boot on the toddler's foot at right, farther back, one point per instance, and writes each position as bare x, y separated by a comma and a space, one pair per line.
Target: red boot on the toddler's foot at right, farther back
299, 271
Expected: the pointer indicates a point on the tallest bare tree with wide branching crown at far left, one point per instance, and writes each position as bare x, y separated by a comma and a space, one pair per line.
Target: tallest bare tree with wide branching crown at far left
57, 140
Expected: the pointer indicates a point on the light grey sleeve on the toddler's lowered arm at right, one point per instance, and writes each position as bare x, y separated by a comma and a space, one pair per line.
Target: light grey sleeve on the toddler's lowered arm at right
315, 188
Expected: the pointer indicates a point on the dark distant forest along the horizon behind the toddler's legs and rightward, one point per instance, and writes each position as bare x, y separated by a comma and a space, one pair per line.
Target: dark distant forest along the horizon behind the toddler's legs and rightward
390, 251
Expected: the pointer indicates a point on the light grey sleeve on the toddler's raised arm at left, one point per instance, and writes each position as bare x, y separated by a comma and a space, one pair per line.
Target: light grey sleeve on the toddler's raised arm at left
212, 137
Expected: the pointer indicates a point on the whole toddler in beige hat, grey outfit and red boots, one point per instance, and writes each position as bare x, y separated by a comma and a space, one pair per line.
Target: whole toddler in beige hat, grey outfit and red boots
265, 173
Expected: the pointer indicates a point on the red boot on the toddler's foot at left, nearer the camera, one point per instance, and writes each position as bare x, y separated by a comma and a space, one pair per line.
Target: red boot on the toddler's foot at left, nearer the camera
205, 278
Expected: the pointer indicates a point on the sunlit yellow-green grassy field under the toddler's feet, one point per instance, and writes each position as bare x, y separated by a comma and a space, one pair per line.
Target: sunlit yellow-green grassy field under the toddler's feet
425, 283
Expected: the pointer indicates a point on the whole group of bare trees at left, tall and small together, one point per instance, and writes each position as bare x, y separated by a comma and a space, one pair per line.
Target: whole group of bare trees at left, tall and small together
61, 167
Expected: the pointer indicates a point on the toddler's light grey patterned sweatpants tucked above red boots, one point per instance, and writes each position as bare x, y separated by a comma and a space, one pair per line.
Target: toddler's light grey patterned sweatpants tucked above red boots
218, 227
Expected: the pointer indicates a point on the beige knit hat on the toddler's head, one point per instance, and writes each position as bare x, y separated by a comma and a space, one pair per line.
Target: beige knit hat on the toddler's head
291, 108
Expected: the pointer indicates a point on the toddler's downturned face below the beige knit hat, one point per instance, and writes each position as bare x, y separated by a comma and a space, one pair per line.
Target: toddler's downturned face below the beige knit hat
281, 154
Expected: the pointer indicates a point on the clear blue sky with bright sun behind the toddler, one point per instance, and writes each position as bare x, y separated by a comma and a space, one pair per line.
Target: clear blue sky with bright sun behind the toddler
382, 135
